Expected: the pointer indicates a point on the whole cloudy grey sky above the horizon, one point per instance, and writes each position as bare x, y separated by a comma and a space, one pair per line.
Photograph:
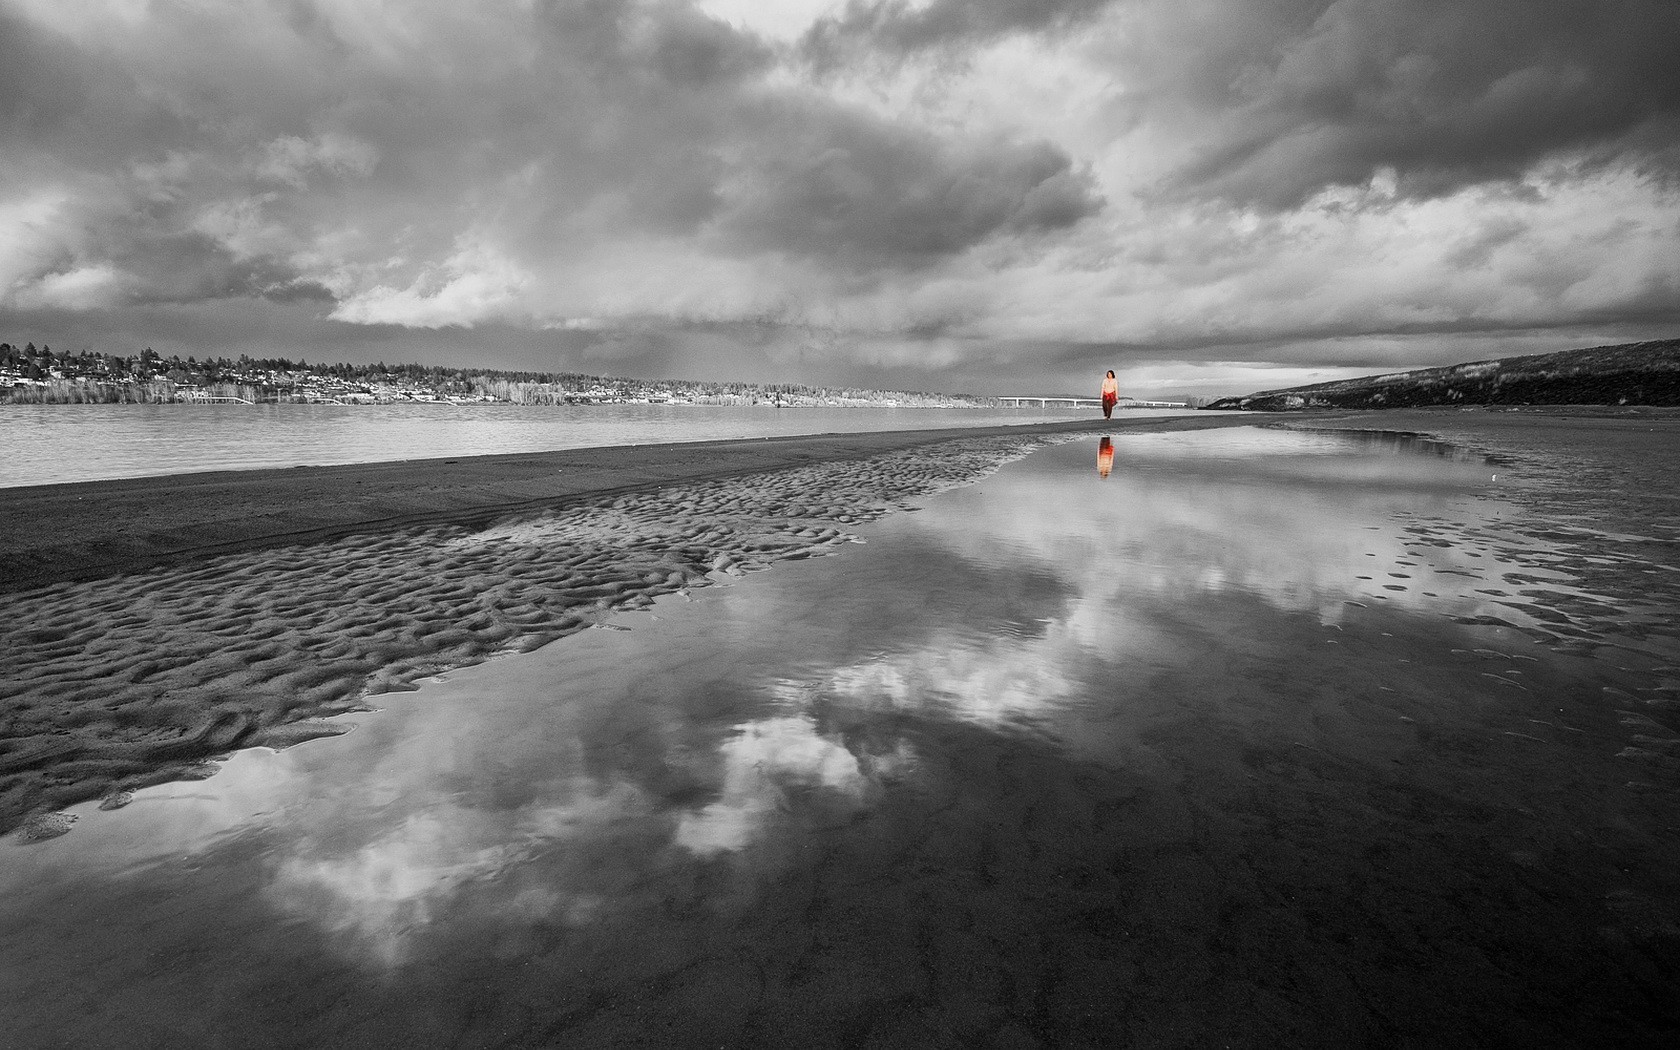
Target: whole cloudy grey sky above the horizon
994, 196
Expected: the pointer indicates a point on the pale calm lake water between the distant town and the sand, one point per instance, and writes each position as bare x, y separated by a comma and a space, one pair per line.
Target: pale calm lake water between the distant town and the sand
43, 444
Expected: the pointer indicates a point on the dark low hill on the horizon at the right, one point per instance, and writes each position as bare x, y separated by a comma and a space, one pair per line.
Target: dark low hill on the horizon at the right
1629, 374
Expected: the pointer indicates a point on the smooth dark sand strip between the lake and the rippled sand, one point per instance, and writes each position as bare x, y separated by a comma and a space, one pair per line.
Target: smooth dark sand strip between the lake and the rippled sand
73, 532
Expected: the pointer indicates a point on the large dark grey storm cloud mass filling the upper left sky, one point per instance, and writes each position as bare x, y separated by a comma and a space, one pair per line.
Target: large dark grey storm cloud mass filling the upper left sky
216, 155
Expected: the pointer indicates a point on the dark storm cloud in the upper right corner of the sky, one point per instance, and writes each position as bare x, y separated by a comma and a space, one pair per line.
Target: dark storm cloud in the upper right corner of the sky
1441, 92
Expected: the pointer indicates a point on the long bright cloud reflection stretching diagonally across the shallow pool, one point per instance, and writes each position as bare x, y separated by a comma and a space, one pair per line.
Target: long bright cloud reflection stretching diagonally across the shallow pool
575, 785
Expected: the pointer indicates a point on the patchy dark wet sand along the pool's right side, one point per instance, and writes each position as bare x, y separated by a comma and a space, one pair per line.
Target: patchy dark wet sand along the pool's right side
1583, 557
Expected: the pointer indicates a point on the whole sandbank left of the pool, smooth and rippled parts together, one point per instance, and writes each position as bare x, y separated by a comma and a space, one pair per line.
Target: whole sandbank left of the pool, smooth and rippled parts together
157, 624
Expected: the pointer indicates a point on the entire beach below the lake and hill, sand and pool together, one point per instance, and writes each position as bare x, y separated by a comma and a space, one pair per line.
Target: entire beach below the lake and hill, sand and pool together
1301, 730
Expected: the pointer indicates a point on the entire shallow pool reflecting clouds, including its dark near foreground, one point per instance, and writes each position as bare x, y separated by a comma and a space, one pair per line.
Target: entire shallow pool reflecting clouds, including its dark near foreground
1263, 738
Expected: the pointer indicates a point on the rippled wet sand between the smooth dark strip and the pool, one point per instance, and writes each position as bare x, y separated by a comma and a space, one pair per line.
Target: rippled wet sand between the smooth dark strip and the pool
137, 680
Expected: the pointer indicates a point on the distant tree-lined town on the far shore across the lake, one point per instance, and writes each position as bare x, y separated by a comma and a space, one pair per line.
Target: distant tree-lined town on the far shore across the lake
33, 375
